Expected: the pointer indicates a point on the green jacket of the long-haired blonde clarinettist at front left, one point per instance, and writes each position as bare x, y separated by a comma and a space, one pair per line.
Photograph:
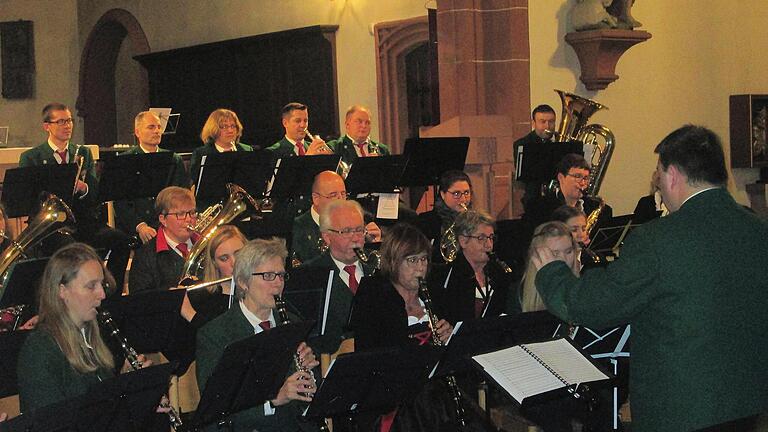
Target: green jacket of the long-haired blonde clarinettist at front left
46, 377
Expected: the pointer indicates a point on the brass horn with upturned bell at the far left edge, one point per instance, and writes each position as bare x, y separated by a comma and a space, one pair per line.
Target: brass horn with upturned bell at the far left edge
53, 215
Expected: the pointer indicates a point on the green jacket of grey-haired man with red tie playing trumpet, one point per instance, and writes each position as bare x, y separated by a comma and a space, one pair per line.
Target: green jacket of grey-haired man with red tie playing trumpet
336, 327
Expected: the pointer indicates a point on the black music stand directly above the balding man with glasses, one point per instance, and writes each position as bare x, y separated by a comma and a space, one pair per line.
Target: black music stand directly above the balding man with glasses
294, 175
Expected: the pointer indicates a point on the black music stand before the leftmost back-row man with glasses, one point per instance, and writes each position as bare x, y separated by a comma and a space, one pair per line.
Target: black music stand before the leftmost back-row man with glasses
23, 187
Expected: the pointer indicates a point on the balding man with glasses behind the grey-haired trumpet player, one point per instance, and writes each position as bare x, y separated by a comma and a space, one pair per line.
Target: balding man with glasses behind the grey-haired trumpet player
307, 242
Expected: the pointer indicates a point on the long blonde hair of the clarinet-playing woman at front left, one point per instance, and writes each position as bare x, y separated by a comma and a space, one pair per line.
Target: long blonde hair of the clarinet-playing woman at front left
62, 269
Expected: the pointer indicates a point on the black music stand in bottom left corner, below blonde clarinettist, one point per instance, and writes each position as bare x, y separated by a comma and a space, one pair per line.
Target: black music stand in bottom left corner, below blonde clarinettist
126, 402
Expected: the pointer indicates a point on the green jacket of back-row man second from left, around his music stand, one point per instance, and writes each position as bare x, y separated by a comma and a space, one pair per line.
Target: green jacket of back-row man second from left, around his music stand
130, 213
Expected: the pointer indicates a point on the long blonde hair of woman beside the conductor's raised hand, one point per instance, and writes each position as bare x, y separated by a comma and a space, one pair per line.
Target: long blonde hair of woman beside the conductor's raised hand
530, 299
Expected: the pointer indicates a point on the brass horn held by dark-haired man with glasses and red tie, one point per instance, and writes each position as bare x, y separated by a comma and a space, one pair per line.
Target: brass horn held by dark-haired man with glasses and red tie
209, 222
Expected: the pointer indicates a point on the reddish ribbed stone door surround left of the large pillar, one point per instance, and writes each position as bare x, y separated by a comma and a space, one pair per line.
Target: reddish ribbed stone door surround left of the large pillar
394, 40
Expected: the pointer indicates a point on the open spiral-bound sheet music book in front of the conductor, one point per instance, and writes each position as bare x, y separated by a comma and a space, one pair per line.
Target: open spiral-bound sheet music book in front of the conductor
528, 370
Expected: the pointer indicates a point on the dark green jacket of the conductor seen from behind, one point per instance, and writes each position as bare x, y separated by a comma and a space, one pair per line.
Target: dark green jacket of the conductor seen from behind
694, 286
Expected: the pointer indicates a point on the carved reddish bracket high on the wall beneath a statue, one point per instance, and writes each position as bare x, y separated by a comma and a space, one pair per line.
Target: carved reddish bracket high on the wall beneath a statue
600, 50
